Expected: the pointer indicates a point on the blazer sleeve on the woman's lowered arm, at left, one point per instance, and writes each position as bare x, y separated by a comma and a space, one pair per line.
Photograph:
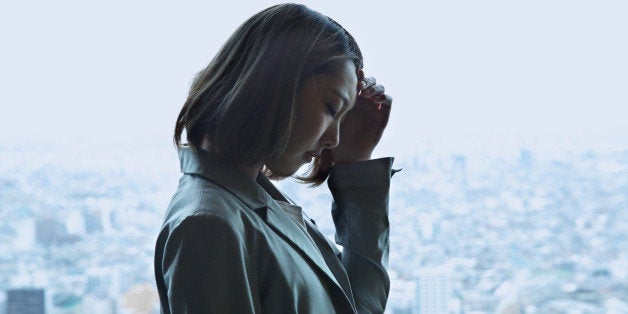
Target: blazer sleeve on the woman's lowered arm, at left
206, 269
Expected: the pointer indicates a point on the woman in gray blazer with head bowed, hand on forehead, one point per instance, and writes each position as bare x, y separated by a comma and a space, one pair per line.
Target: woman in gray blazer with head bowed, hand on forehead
287, 88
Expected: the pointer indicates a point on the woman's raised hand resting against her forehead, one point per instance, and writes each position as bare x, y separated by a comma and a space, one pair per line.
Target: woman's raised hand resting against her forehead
364, 125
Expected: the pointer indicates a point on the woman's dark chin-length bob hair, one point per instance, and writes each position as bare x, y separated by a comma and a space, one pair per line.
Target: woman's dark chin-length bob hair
243, 102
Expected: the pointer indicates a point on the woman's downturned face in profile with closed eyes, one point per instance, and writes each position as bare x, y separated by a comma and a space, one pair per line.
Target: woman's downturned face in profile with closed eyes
322, 102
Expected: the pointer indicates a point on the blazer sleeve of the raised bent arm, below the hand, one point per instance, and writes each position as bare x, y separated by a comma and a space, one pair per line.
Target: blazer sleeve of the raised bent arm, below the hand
360, 213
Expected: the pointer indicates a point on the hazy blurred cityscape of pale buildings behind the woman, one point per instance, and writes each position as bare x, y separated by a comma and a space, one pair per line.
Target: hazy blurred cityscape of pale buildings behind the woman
496, 229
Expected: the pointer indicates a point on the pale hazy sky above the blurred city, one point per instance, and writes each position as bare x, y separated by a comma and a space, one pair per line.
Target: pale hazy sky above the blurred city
121, 69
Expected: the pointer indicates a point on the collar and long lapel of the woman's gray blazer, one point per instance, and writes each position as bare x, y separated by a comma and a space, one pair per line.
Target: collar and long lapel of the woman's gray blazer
257, 196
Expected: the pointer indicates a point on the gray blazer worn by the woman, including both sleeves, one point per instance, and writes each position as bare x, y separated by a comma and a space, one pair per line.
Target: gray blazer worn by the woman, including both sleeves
226, 246
